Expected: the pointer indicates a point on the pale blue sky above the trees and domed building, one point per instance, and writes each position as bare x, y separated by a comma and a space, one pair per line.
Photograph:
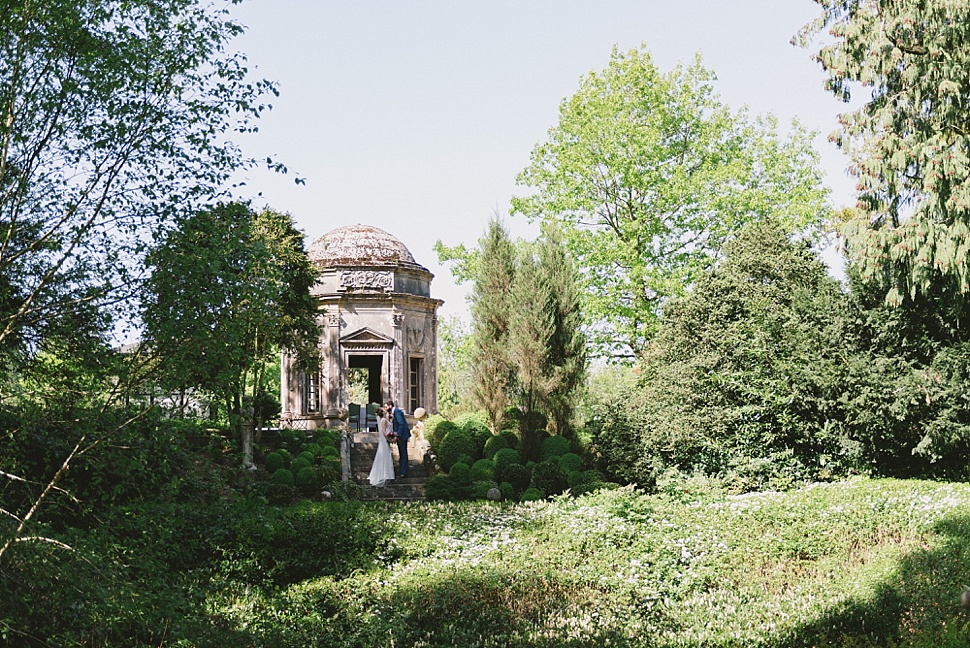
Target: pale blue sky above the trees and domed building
416, 116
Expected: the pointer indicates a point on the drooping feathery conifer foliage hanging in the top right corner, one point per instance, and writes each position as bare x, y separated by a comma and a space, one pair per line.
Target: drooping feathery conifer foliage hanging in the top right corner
909, 144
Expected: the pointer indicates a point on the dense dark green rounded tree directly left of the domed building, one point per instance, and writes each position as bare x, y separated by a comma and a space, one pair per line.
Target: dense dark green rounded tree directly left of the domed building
229, 287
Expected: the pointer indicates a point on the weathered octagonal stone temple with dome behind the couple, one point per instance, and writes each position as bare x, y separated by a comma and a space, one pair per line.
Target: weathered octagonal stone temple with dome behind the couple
379, 324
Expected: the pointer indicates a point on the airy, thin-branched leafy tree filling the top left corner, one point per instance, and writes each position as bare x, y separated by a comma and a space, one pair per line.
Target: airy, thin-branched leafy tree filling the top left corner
114, 117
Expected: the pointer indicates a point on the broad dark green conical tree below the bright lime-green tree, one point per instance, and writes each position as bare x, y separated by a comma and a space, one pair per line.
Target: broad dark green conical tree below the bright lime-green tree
744, 375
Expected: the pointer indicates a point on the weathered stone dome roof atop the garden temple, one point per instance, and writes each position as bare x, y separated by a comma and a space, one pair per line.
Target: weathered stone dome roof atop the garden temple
359, 245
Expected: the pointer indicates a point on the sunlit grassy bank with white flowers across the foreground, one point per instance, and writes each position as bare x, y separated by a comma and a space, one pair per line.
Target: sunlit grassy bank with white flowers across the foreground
858, 563
